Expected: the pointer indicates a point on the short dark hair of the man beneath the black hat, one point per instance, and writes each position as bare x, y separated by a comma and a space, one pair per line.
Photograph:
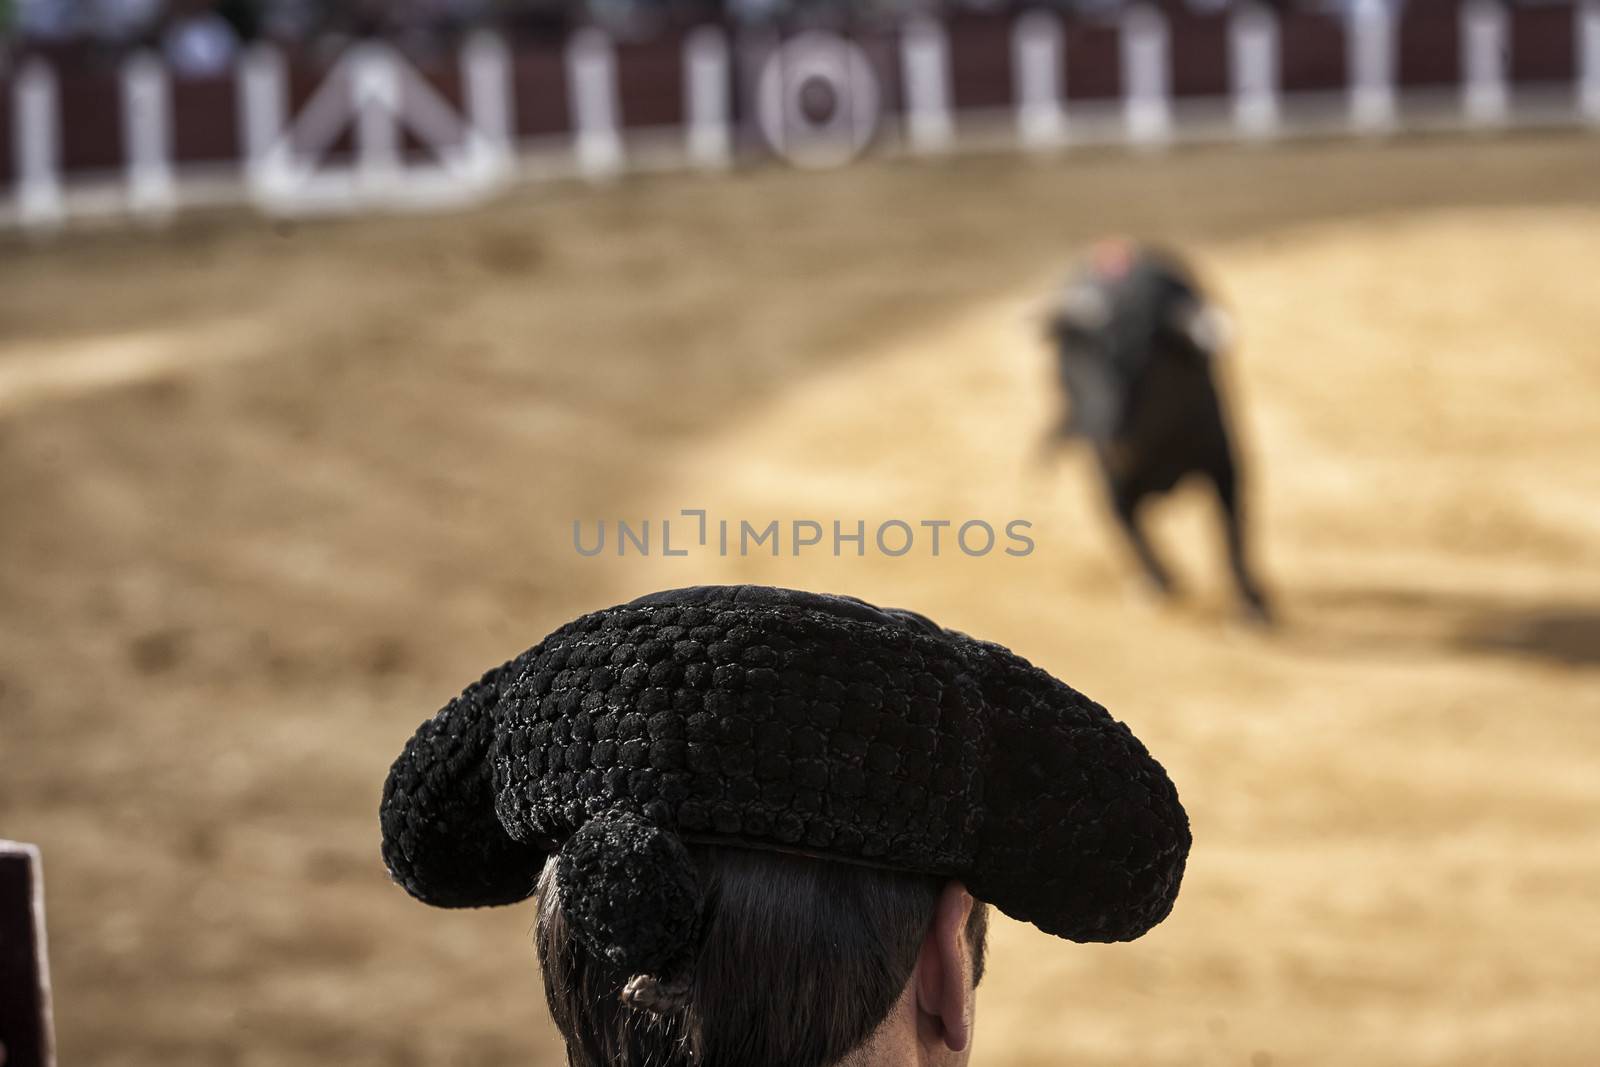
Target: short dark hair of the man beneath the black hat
836, 945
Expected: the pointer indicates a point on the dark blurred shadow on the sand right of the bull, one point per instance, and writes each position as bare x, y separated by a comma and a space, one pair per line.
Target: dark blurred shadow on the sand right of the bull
1398, 618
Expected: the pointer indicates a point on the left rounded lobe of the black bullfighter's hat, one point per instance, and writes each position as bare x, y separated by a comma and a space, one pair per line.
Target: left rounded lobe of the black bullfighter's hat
442, 839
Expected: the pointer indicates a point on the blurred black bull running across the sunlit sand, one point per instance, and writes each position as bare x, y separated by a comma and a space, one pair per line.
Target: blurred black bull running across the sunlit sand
1135, 342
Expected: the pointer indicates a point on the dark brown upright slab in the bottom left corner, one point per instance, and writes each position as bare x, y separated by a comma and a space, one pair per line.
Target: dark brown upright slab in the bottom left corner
26, 1037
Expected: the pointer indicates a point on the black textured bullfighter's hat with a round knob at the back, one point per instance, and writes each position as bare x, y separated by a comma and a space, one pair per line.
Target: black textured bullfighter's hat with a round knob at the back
788, 721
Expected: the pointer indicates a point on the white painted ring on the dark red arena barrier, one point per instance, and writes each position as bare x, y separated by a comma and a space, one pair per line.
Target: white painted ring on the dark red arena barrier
818, 100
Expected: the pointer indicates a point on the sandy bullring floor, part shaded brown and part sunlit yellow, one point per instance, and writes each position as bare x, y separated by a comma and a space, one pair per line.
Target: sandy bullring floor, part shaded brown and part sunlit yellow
271, 495
